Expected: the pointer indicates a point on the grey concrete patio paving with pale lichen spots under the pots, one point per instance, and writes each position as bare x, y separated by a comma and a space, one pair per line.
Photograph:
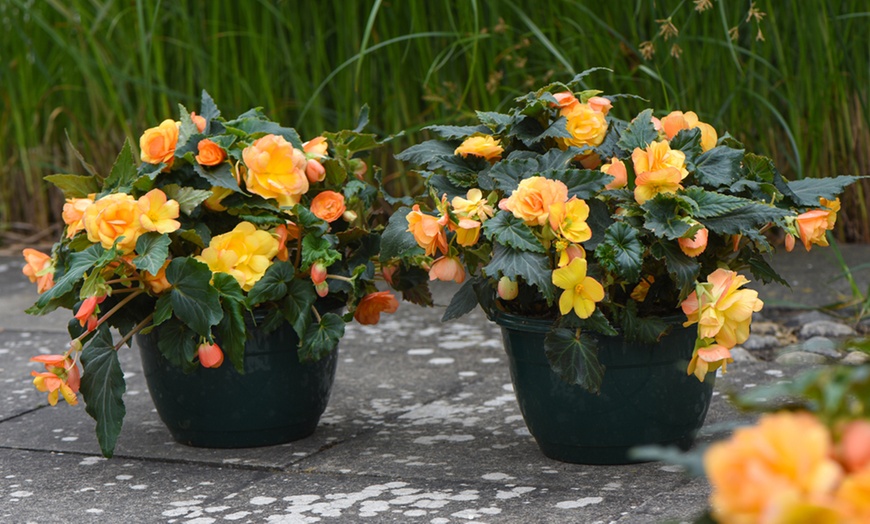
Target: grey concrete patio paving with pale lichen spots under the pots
422, 426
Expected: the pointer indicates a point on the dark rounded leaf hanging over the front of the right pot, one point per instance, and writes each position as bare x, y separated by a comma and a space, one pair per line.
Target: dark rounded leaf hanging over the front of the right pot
574, 358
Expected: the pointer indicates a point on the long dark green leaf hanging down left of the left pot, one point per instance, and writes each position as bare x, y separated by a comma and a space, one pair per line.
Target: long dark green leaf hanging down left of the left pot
103, 387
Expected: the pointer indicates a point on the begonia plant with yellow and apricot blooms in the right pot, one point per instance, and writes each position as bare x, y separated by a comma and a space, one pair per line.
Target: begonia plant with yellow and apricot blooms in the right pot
558, 209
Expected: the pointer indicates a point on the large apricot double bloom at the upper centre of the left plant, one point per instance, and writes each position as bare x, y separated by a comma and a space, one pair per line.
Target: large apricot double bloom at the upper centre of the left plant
276, 170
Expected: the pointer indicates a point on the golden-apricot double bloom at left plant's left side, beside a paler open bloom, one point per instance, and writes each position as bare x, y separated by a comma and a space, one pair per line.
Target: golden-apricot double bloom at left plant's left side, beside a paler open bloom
112, 217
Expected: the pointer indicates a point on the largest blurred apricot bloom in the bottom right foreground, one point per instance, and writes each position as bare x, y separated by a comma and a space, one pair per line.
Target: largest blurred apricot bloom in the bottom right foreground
762, 471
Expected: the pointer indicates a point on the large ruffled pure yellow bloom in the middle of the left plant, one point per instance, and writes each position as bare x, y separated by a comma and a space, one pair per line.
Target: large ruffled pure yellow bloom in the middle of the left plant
245, 253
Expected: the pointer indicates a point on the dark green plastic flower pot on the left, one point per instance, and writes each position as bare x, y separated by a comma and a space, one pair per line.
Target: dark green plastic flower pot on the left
277, 400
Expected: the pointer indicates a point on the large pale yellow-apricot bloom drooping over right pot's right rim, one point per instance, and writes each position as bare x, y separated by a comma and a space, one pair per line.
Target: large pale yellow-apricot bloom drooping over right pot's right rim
723, 311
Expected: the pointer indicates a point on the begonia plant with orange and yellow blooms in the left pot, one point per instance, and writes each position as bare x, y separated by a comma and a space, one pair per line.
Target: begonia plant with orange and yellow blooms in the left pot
221, 219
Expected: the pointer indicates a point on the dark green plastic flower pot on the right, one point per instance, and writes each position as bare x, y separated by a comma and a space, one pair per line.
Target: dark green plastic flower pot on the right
646, 396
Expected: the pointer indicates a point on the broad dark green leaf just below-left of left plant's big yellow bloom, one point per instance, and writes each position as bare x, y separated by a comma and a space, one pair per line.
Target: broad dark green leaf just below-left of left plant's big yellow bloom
194, 301
